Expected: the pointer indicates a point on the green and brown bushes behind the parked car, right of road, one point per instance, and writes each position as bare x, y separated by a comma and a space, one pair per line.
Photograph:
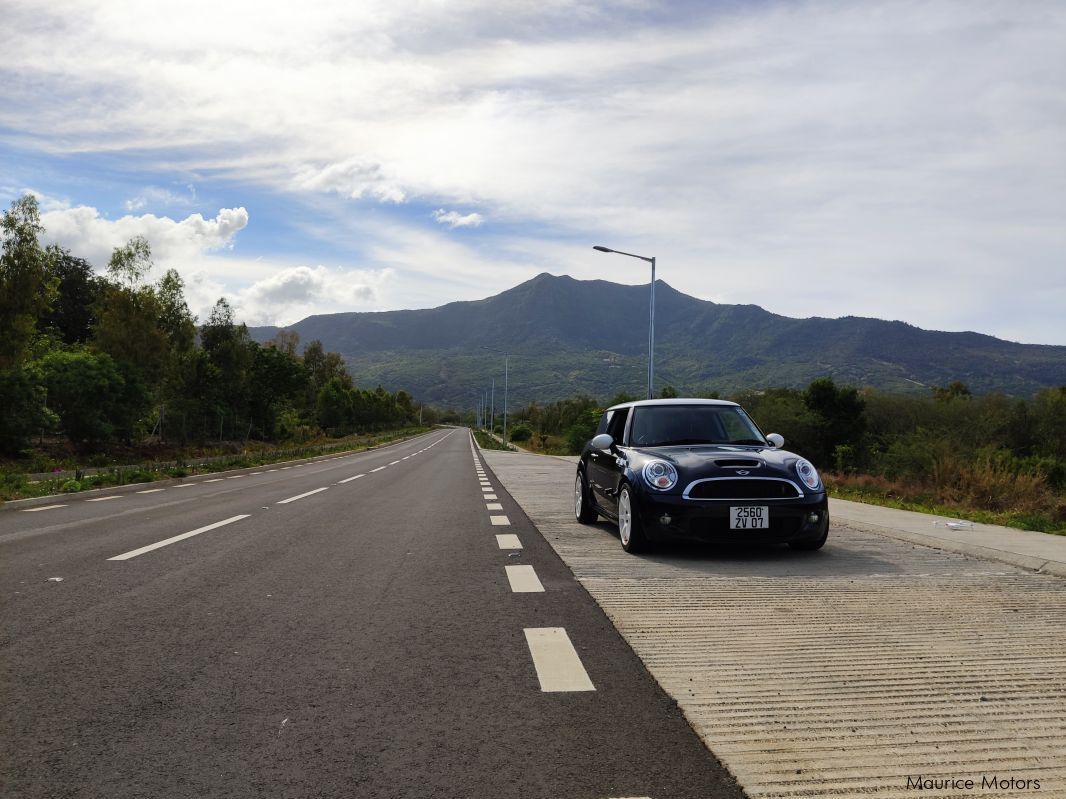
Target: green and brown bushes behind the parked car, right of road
992, 459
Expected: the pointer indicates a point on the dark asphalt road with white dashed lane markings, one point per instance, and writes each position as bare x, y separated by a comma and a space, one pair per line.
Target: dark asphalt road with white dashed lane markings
306, 632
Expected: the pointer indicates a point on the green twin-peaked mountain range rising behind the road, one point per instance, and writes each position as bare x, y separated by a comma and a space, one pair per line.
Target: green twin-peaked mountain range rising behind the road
567, 337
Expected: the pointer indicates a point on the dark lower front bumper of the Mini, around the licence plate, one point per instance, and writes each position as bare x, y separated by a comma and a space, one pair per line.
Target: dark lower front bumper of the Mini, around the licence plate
667, 517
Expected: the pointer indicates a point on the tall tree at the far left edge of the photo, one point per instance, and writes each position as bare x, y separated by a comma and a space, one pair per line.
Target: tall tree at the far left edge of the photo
27, 284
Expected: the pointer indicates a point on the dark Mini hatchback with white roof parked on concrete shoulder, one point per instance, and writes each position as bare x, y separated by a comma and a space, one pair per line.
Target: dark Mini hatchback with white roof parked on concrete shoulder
698, 470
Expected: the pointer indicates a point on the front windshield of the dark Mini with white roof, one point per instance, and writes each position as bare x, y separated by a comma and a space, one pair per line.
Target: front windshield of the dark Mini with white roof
670, 426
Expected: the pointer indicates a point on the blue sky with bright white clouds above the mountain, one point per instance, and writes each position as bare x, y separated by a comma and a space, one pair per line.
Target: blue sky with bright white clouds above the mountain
886, 158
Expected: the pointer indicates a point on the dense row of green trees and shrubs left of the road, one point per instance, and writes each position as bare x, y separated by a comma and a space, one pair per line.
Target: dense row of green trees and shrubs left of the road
99, 372
